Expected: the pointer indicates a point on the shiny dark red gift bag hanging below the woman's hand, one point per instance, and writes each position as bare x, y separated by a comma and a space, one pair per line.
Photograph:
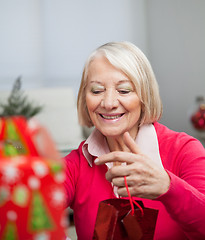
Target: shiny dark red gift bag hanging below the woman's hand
117, 221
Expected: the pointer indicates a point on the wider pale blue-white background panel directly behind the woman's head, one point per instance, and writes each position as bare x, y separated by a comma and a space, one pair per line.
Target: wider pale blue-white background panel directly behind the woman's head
72, 29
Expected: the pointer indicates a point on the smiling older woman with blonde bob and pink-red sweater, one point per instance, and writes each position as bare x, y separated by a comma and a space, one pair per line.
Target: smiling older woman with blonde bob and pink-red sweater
164, 169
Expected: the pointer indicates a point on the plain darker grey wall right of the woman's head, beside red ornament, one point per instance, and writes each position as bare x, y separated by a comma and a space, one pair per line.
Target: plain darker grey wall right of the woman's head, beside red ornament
176, 40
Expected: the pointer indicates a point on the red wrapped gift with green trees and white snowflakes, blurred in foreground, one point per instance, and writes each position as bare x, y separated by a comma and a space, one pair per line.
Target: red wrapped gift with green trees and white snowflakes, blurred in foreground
31, 183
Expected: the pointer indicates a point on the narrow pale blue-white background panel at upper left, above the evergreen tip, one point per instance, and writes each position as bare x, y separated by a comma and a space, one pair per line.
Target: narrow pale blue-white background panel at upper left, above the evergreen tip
20, 42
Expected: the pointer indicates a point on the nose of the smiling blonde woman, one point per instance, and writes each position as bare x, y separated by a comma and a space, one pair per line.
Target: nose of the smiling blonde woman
110, 100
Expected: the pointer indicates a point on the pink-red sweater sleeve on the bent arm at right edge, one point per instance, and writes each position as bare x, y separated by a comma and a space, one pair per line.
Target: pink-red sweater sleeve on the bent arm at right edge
185, 199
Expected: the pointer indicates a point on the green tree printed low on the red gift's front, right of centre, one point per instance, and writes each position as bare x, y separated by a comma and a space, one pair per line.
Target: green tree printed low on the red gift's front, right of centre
40, 218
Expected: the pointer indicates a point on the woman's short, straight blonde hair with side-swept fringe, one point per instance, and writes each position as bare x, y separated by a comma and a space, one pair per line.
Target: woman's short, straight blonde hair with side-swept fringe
126, 57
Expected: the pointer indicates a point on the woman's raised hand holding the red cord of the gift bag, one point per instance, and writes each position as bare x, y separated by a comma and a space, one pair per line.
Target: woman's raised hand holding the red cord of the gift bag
145, 179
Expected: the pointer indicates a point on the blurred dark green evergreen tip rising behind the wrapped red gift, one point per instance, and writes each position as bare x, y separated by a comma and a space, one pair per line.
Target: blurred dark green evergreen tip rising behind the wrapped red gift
18, 104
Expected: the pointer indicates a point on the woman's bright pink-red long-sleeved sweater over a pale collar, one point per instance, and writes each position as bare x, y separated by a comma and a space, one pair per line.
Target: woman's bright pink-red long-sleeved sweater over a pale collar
181, 209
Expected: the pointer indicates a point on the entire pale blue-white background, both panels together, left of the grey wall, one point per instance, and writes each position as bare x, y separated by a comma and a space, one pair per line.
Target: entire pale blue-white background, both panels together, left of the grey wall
47, 42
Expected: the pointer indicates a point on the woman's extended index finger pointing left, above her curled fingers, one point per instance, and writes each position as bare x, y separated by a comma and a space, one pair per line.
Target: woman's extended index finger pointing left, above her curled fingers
116, 156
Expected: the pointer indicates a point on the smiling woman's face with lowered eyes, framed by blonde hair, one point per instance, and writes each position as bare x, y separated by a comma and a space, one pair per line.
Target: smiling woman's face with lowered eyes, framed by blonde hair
111, 99
